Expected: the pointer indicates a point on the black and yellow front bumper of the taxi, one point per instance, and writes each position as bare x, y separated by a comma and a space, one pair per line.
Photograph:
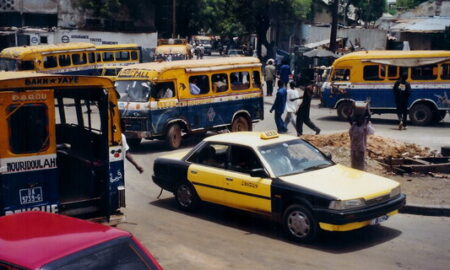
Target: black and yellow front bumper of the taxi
359, 217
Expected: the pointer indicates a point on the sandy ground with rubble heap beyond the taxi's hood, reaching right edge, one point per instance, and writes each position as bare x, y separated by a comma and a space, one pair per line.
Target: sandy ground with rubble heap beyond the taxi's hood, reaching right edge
420, 189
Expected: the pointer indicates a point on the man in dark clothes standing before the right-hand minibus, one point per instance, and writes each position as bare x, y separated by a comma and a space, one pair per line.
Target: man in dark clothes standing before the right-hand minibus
402, 91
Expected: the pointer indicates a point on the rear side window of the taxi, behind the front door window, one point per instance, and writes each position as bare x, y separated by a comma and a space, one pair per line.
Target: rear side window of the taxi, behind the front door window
214, 155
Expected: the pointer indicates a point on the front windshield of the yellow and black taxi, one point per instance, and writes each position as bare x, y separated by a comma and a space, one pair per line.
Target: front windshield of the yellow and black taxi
291, 157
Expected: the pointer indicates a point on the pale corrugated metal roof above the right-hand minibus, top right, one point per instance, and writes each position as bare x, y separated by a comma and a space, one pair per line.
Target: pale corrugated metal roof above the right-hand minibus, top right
422, 25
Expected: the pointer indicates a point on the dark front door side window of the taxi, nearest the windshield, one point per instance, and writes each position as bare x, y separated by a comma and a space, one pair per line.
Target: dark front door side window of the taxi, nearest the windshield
243, 159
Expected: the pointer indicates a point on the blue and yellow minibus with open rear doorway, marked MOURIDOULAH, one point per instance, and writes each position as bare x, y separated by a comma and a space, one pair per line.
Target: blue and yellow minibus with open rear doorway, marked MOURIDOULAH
60, 145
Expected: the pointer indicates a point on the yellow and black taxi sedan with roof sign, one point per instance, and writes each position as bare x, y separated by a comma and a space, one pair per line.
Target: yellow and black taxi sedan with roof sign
281, 176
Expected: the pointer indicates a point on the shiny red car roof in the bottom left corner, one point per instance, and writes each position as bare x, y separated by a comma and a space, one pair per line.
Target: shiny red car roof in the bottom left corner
33, 239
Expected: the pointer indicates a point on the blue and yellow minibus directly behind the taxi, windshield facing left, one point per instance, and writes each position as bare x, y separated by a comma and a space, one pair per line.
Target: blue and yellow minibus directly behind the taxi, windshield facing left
164, 100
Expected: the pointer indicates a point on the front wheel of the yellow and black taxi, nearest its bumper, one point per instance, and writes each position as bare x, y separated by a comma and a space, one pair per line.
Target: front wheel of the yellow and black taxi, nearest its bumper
299, 224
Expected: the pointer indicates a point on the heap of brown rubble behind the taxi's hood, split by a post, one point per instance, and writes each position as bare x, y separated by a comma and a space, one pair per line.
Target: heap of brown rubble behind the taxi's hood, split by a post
377, 146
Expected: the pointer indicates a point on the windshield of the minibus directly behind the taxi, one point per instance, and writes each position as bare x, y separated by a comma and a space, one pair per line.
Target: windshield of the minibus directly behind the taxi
134, 91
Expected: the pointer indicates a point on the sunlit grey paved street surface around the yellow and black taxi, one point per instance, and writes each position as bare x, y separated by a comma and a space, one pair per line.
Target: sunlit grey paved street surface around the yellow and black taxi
221, 238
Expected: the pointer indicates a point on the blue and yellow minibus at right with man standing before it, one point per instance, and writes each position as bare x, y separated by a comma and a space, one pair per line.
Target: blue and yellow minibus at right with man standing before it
370, 75
